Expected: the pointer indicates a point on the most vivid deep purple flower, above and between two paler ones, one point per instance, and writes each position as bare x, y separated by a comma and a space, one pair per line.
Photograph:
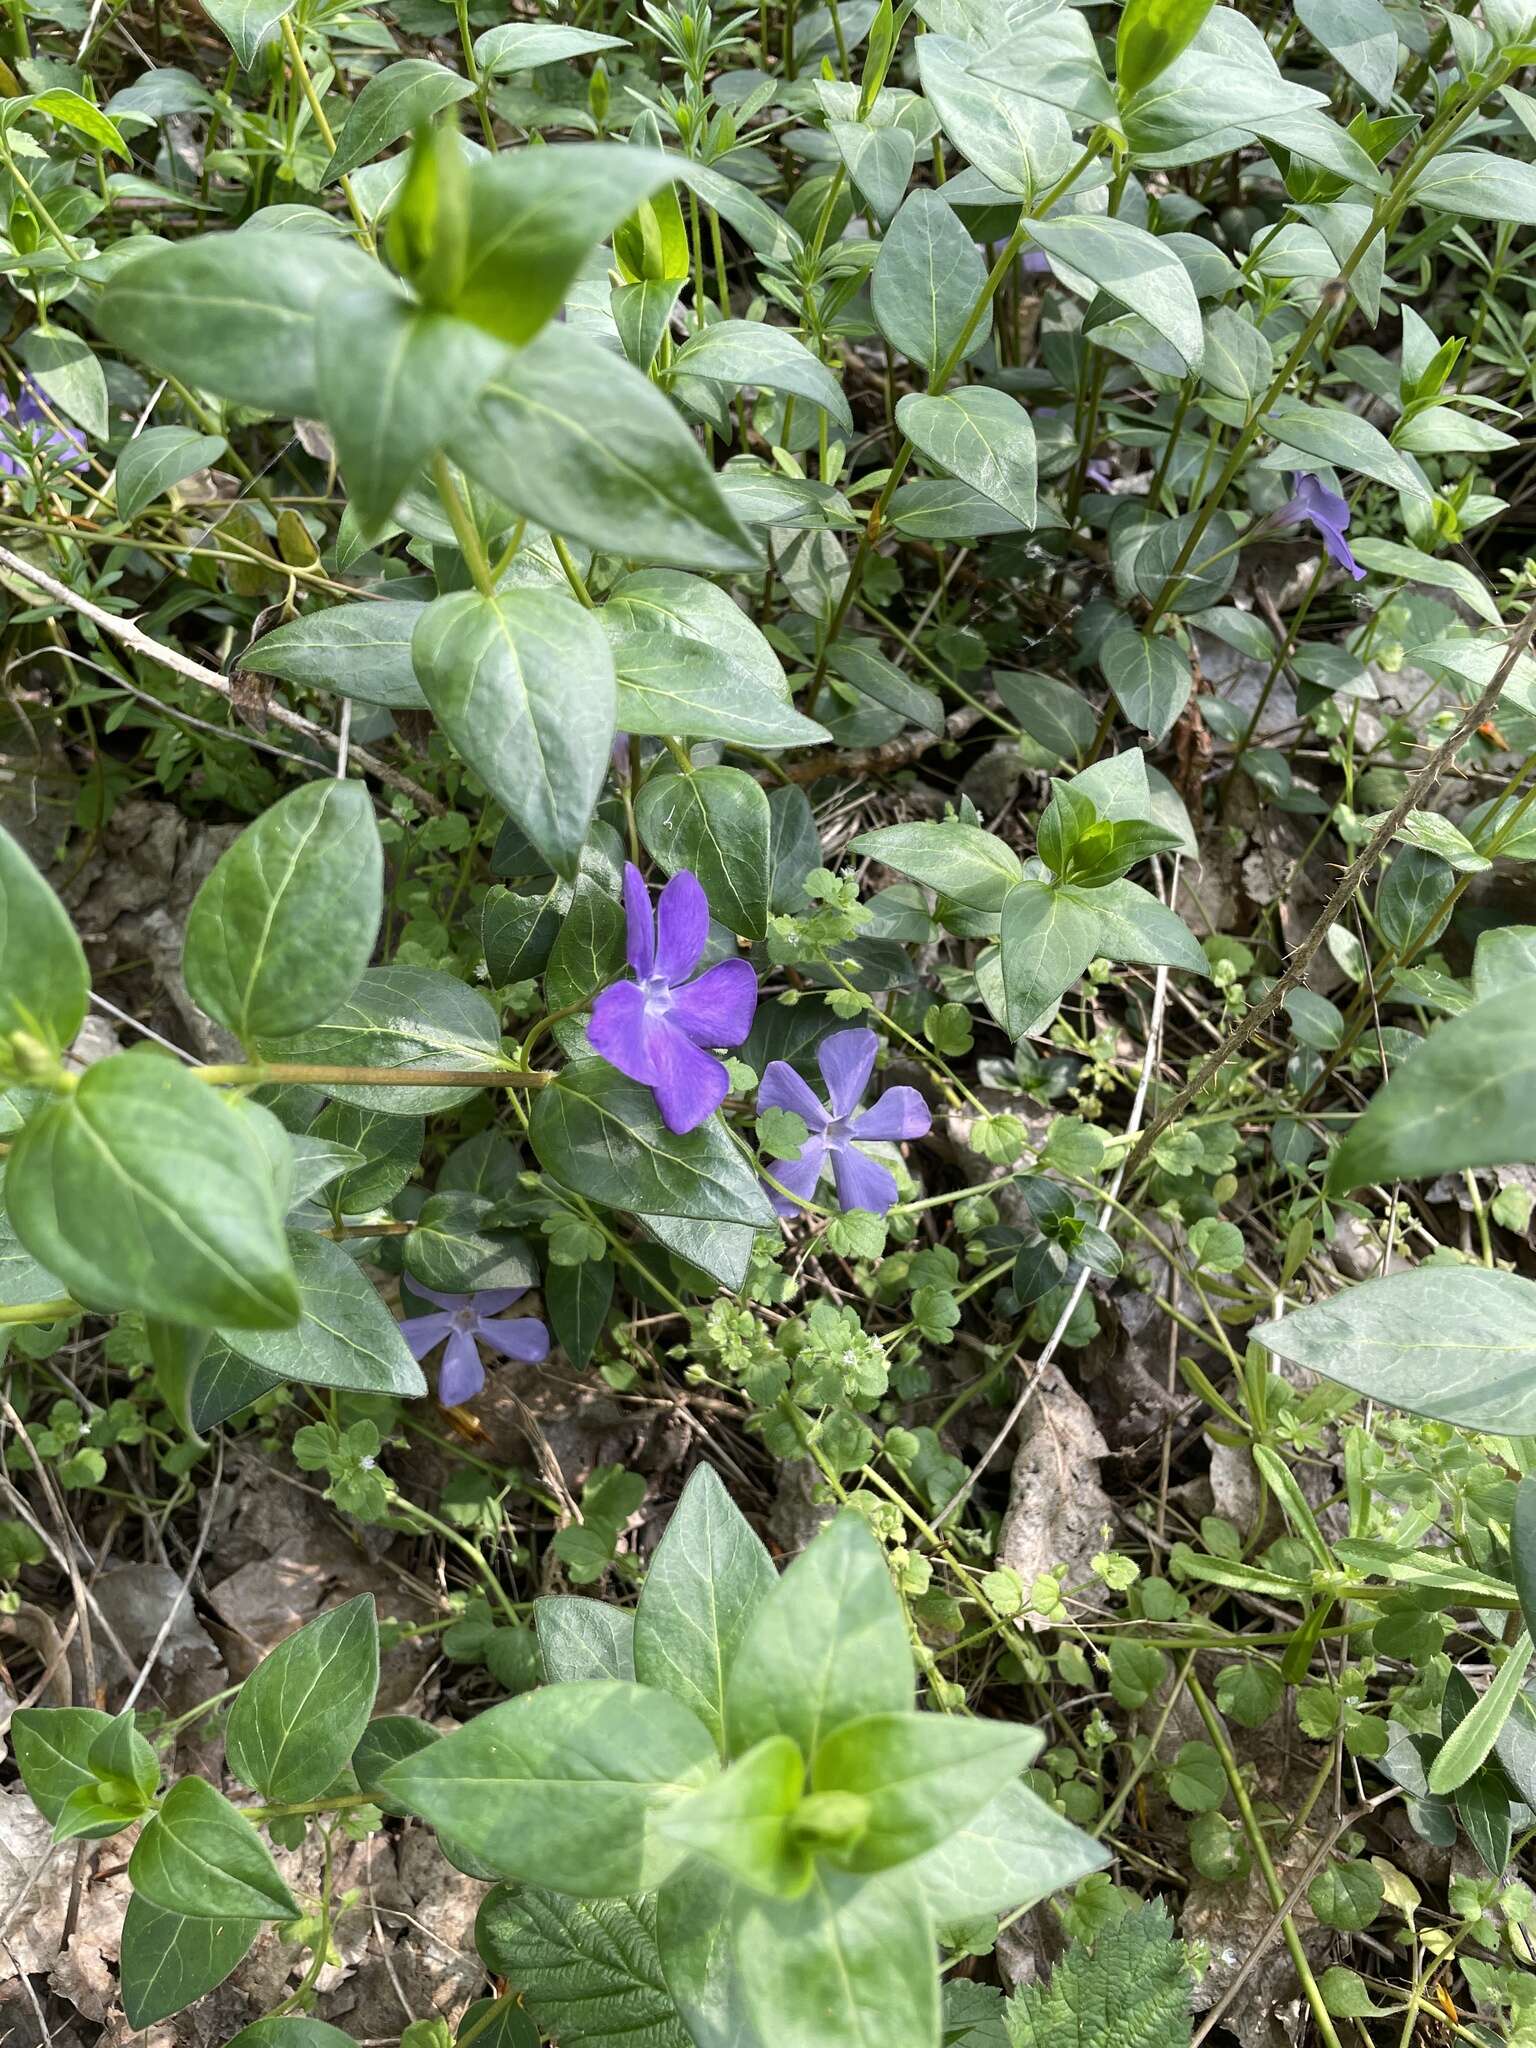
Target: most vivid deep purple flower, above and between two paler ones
654, 1027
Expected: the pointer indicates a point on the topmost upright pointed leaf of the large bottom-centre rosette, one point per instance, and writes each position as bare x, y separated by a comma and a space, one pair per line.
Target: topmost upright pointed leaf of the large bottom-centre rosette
706, 1582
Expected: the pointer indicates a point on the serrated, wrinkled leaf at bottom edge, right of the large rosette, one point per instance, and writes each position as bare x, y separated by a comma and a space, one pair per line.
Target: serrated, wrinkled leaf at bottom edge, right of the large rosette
1132, 1990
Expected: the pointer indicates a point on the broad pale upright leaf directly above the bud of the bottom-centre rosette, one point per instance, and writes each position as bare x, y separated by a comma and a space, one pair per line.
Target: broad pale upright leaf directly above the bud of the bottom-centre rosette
828, 1646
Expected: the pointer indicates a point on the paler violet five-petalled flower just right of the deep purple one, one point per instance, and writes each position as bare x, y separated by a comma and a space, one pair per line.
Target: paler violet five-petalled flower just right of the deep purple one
847, 1062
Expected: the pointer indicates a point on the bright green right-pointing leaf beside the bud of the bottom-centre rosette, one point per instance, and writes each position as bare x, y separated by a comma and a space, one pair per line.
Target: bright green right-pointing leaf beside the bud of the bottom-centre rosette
921, 1775
